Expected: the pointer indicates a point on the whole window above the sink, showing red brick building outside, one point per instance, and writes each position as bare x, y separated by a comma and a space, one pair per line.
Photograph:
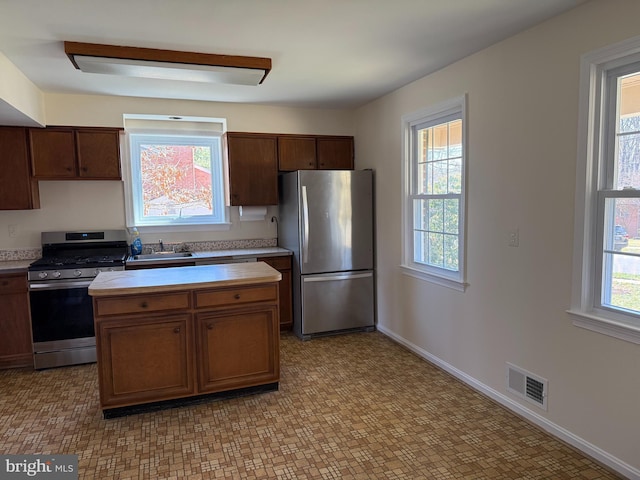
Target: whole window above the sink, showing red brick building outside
175, 178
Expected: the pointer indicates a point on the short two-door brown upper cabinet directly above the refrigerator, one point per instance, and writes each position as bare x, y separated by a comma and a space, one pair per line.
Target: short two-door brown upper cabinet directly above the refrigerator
314, 152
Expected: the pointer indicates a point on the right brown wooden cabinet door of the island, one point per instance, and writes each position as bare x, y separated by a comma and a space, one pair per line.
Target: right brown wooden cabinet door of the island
237, 348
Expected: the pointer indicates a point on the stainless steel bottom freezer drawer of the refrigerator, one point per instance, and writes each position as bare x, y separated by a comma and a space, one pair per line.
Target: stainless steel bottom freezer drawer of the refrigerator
336, 301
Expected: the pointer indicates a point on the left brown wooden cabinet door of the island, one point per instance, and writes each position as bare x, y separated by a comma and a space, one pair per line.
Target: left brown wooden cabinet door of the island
145, 359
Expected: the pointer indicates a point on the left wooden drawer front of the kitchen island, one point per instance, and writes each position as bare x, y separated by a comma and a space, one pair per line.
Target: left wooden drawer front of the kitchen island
141, 303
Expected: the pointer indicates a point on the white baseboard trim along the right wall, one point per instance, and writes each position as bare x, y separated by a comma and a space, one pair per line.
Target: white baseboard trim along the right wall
557, 431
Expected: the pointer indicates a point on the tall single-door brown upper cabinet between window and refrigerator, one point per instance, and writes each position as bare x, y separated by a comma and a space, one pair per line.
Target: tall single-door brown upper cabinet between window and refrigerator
252, 168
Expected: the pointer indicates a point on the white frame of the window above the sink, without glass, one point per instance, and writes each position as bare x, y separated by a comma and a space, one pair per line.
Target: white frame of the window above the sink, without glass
131, 177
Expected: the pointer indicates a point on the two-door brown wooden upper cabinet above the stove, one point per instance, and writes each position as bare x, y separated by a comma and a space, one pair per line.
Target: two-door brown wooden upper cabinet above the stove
68, 153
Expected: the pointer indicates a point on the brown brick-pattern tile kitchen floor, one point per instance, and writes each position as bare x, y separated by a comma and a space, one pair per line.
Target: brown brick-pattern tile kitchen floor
354, 406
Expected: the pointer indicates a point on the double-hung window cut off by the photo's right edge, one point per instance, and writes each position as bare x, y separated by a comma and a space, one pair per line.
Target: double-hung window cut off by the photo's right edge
607, 291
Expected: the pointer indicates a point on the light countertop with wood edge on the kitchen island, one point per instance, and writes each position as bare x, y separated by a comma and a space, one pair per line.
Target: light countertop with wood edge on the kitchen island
130, 282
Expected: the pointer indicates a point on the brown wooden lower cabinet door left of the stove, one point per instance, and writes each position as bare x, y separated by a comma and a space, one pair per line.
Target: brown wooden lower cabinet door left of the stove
15, 322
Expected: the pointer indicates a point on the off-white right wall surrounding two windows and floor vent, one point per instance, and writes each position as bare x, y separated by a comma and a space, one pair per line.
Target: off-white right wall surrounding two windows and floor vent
522, 124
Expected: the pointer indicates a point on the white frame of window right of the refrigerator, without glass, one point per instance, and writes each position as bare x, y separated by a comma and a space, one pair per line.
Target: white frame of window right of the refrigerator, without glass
433, 115
